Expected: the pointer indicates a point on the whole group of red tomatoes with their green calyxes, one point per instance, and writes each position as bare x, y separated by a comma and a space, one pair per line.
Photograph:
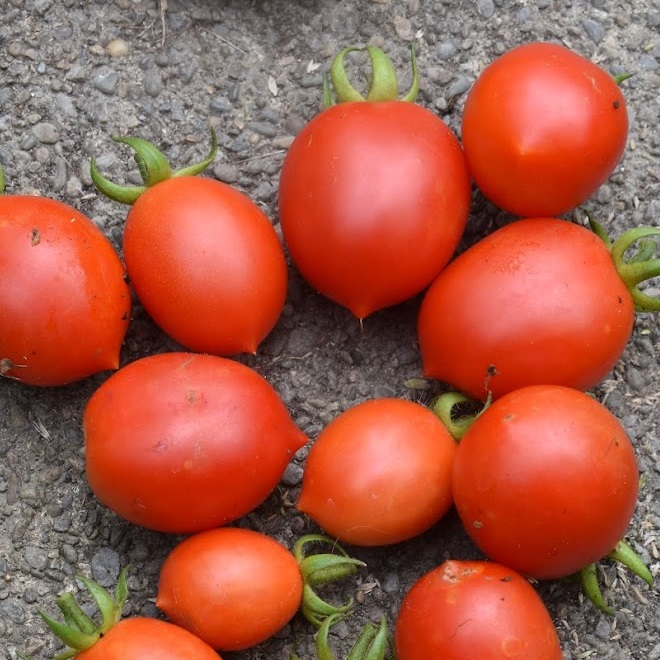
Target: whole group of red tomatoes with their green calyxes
374, 196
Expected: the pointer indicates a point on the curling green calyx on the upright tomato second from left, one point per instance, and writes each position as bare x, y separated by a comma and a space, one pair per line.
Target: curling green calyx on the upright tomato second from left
153, 167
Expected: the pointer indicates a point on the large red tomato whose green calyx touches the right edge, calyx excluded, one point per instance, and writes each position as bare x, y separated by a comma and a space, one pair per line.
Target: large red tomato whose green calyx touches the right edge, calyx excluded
538, 301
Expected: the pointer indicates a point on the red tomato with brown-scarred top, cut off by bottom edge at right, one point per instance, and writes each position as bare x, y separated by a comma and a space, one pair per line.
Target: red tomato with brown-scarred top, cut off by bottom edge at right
474, 610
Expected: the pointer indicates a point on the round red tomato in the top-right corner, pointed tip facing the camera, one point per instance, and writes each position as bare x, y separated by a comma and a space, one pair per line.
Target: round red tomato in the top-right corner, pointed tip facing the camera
542, 129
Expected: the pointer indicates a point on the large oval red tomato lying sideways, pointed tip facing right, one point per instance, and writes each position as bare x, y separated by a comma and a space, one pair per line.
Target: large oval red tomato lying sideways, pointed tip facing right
181, 442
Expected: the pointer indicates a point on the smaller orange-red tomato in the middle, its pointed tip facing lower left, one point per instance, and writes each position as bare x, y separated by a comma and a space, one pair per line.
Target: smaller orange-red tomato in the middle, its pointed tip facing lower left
379, 473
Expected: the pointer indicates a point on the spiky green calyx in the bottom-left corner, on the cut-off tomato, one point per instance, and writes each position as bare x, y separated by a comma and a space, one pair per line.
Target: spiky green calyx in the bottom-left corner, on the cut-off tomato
79, 631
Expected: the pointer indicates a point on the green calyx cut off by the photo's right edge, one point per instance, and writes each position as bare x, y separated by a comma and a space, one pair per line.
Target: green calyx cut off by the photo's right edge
639, 267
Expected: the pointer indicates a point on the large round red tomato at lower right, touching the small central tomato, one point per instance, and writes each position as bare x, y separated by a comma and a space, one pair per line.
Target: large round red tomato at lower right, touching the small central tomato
545, 481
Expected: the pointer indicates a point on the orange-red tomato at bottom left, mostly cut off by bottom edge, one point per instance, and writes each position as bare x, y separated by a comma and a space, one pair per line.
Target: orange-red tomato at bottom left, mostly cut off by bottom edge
148, 639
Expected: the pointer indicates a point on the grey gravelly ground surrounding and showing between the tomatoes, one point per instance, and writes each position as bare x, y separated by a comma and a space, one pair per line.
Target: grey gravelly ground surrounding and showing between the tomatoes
75, 72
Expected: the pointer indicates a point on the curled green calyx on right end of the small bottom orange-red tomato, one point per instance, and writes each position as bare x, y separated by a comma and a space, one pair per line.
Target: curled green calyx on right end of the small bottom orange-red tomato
318, 570
